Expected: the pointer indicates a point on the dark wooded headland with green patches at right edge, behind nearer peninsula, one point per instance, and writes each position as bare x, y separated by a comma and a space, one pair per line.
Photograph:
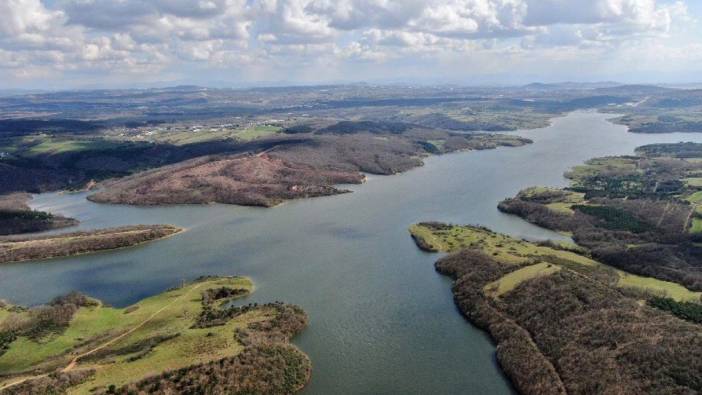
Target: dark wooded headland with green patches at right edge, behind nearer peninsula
638, 213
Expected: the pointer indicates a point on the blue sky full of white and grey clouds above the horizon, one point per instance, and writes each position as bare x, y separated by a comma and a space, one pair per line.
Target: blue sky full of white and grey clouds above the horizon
112, 43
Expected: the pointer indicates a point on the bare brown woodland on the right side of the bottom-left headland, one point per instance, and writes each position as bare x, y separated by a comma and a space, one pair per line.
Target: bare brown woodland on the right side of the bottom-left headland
267, 365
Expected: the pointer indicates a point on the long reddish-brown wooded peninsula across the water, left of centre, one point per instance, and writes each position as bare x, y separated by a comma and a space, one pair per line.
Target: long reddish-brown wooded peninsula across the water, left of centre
288, 171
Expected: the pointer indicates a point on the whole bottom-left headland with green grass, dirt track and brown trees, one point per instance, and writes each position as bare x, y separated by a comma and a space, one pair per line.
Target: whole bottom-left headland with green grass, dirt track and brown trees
189, 339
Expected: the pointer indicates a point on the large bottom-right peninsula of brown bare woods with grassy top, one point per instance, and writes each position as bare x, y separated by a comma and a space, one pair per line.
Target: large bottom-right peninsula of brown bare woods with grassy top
562, 322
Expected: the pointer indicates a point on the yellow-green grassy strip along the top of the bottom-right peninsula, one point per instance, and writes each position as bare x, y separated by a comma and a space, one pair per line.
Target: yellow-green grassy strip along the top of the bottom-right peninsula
506, 249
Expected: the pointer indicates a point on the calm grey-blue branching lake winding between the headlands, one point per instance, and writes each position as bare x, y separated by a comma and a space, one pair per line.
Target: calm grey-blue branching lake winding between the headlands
382, 321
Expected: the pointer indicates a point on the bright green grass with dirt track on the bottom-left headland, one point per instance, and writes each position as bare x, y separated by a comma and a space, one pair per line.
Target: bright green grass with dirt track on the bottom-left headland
124, 345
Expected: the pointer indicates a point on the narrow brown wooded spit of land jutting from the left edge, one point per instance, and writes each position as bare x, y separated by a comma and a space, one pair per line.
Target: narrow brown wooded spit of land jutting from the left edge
18, 249
